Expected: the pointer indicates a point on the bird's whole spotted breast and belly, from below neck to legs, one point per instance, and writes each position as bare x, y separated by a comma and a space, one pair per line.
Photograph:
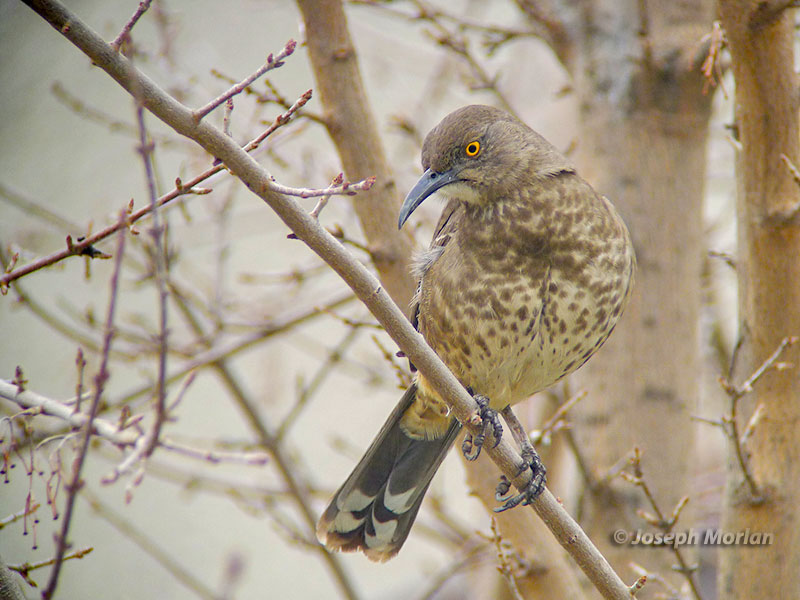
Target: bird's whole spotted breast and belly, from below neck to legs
511, 315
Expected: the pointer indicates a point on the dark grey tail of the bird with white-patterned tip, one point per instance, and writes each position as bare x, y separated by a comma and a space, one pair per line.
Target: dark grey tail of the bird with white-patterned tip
374, 509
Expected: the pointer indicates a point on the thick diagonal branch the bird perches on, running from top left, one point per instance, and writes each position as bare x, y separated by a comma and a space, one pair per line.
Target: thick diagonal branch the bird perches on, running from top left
358, 277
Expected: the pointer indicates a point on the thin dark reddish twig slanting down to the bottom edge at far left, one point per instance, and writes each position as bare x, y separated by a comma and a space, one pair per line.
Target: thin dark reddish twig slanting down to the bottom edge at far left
73, 487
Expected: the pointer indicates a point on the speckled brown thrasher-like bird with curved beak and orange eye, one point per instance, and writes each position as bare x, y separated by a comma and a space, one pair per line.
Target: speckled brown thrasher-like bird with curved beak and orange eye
528, 272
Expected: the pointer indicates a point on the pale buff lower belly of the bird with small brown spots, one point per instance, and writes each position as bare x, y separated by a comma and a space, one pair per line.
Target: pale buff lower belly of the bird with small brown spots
512, 349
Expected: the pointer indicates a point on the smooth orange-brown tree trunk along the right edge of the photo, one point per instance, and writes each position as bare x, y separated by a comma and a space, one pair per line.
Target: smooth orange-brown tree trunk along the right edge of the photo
760, 38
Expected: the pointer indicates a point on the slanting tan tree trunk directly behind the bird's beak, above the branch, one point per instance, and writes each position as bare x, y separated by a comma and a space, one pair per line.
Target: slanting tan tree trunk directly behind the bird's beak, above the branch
352, 128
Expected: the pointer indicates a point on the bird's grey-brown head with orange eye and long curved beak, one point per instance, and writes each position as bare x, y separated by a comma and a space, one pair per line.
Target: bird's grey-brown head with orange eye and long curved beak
479, 155
